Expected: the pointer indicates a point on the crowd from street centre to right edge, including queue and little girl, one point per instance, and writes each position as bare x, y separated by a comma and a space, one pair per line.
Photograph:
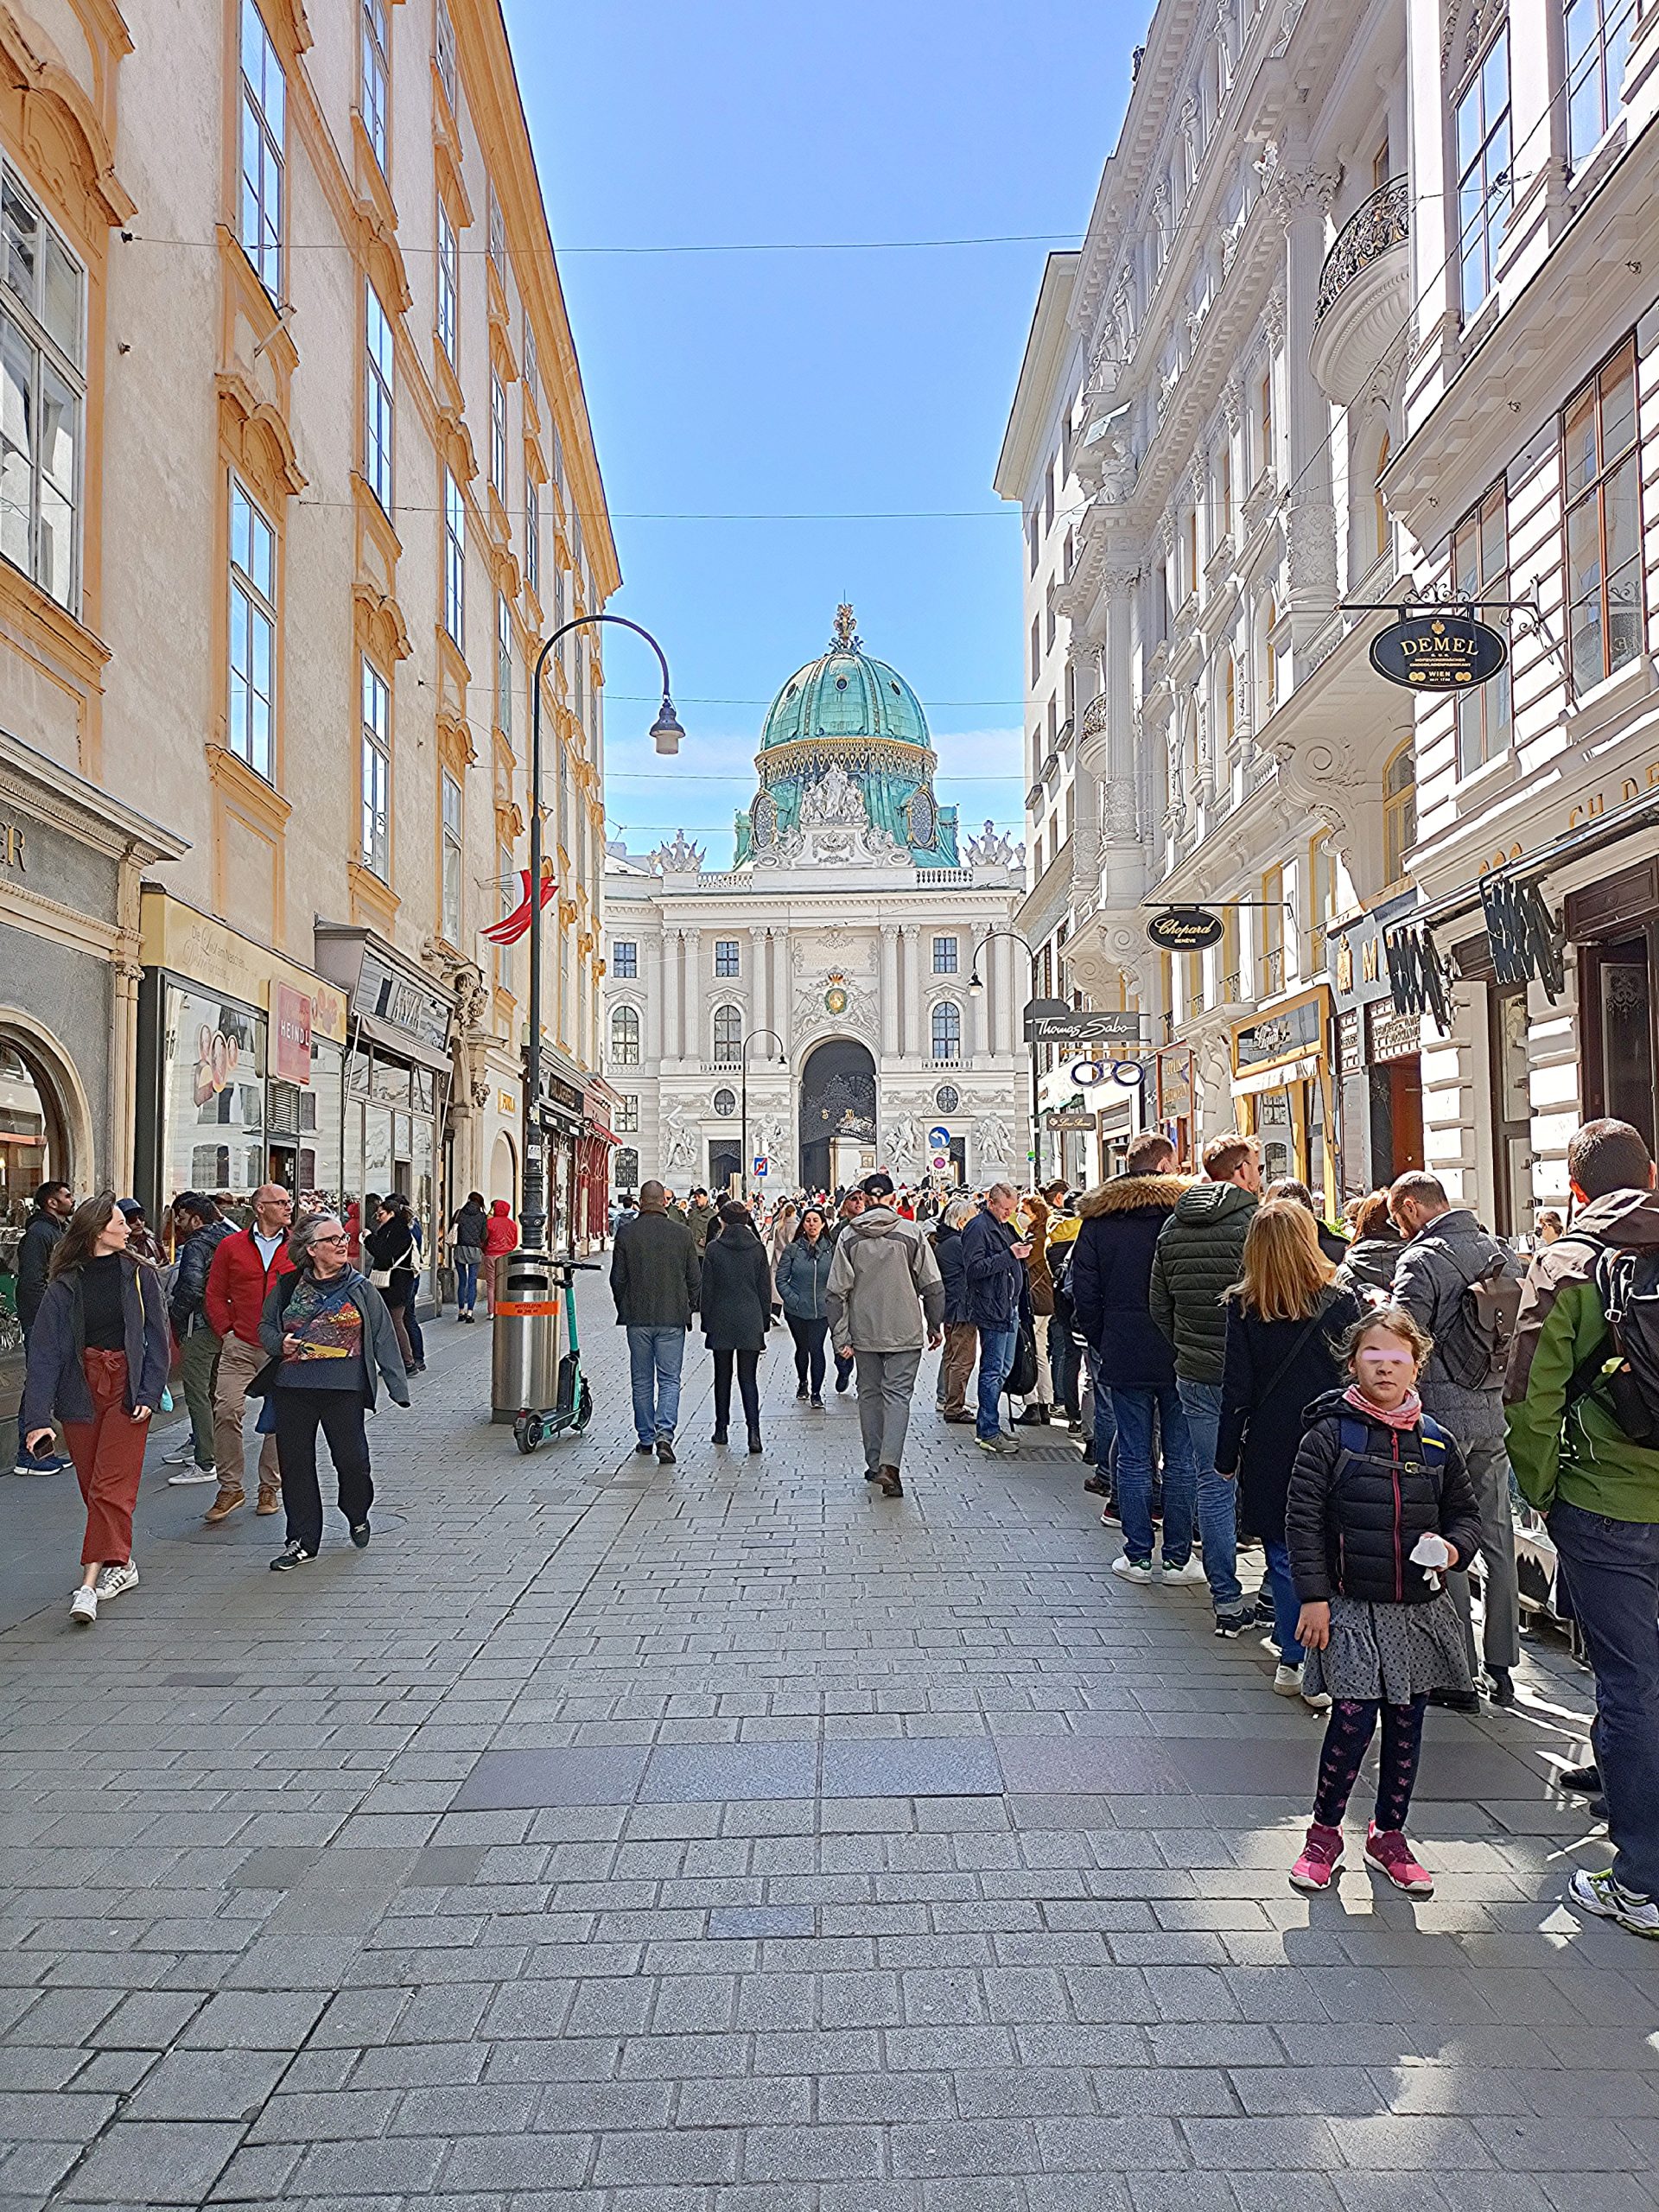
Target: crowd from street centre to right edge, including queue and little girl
1357, 1404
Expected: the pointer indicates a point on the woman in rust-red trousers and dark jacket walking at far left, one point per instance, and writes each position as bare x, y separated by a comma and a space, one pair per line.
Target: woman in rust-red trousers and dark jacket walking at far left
98, 1359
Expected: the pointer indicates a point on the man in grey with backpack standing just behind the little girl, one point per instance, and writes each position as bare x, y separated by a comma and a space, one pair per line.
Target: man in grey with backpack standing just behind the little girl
1463, 1288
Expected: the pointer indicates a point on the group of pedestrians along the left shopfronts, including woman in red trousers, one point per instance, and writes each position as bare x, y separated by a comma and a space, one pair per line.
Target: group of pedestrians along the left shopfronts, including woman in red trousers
255, 1313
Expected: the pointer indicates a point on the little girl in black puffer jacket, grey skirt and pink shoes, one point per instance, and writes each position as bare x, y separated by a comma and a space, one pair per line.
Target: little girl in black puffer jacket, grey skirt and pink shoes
1373, 1481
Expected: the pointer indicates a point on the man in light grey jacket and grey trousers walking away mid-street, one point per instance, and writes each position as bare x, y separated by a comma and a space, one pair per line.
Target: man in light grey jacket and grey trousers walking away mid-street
886, 1297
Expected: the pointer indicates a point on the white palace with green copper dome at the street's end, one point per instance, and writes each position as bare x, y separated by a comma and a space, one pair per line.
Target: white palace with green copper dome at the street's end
813, 1012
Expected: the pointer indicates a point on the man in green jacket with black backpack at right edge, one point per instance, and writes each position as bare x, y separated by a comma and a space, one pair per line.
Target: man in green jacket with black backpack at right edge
1583, 1408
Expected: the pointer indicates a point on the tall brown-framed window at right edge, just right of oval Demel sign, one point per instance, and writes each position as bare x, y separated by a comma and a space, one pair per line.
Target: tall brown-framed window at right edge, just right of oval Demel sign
1603, 479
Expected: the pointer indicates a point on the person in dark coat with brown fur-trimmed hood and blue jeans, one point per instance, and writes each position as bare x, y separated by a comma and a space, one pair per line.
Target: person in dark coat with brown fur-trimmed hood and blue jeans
1131, 1357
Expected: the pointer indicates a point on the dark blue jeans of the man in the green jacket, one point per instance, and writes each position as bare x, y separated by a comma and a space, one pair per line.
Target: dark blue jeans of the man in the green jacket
1614, 1580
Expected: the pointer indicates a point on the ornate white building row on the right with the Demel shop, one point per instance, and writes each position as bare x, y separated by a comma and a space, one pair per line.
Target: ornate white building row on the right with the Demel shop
1359, 317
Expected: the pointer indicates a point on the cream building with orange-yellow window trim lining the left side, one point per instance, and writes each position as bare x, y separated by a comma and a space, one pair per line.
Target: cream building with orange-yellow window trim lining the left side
295, 474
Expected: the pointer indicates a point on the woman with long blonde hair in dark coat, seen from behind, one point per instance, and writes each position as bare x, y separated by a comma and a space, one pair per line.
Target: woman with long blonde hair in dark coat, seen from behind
1284, 1322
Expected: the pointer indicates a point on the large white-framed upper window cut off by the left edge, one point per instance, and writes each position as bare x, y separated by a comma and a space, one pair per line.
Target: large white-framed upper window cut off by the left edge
41, 395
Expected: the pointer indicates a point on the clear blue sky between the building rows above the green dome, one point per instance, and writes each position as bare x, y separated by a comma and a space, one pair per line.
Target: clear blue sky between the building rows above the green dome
811, 384
